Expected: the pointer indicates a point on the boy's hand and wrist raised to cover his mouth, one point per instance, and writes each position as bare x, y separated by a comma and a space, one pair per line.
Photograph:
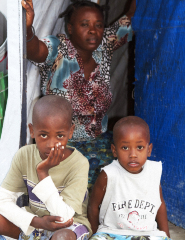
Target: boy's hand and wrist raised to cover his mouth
55, 157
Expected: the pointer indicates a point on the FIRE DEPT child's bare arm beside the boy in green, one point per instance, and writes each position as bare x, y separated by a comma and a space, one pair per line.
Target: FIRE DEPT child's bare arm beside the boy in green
96, 199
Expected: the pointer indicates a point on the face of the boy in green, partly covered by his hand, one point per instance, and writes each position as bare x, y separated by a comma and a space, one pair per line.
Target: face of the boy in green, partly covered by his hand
50, 130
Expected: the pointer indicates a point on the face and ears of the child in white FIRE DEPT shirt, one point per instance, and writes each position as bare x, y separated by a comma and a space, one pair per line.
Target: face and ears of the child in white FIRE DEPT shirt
132, 148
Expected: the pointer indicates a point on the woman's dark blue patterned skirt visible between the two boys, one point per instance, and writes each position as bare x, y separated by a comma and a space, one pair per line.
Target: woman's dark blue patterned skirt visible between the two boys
98, 152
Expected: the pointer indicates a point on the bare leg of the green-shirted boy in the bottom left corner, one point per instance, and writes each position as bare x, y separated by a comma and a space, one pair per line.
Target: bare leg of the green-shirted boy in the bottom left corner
8, 229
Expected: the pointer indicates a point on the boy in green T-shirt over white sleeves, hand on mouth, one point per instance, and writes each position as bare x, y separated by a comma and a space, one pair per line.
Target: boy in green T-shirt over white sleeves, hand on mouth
54, 176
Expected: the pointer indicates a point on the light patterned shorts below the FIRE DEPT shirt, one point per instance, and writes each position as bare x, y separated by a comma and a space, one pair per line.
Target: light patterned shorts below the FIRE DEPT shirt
105, 236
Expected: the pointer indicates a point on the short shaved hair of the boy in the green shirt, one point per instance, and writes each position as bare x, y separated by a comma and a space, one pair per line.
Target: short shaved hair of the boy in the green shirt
52, 105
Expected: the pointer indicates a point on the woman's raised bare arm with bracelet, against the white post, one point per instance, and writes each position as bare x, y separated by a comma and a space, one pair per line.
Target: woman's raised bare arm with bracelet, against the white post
37, 51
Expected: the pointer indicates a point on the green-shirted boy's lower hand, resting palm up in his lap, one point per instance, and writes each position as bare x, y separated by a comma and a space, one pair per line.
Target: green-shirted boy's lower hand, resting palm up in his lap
50, 223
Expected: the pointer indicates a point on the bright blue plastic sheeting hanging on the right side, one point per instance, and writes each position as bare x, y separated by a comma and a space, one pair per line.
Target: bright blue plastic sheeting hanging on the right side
160, 92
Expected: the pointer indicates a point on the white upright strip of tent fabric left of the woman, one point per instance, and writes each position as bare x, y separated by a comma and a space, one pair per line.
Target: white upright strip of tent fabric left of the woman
11, 127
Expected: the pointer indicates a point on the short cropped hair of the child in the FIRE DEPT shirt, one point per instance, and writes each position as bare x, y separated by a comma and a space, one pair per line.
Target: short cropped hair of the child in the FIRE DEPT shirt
130, 121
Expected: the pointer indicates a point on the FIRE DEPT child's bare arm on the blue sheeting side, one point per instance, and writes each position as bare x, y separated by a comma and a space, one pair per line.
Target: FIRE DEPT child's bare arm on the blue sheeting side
161, 217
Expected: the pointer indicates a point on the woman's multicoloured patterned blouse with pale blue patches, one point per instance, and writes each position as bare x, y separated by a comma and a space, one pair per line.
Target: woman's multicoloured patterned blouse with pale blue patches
63, 74
